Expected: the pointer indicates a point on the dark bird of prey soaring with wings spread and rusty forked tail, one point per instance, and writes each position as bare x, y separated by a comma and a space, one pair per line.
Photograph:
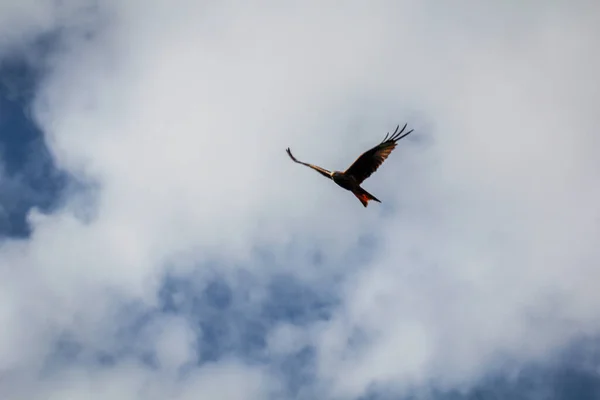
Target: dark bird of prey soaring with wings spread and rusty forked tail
362, 168
